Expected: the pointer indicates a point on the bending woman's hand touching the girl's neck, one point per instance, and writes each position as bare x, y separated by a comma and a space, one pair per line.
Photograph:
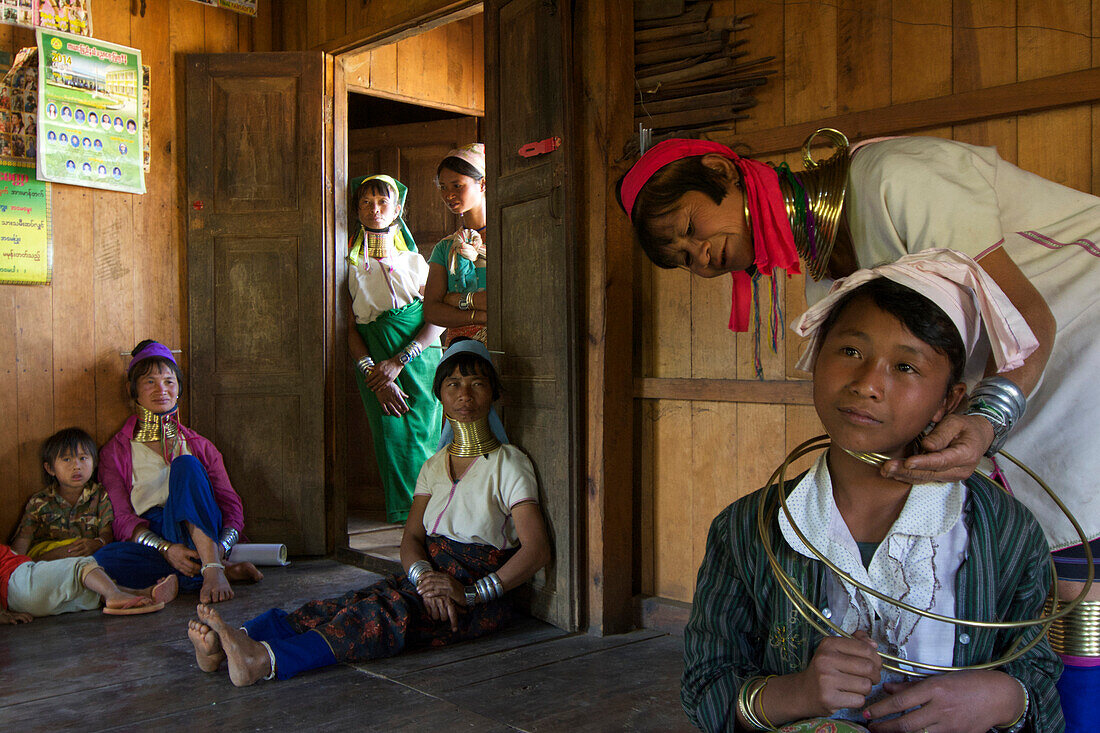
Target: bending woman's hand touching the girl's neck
952, 452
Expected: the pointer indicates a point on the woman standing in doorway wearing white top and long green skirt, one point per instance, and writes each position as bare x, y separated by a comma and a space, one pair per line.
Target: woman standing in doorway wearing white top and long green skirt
391, 342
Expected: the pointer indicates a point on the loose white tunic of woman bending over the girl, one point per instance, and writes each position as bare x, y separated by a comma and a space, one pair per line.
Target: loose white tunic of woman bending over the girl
912, 194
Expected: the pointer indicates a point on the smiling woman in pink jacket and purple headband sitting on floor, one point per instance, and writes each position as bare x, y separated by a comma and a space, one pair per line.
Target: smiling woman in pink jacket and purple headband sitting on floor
170, 491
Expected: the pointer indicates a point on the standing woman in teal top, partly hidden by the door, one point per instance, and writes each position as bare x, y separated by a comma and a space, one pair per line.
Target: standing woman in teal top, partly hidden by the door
455, 297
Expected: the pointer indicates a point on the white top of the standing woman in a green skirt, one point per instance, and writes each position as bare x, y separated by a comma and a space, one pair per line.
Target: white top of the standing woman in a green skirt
381, 286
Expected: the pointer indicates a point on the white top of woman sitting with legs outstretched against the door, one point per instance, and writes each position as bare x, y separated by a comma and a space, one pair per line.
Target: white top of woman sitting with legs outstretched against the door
477, 509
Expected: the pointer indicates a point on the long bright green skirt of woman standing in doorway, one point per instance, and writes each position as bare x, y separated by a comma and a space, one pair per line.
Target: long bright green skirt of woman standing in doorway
402, 445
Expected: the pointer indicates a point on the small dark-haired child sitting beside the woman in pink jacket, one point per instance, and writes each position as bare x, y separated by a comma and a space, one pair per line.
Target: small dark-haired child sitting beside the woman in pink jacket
72, 517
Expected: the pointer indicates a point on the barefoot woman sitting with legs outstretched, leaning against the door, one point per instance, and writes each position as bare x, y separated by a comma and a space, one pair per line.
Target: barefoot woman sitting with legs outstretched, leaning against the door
475, 532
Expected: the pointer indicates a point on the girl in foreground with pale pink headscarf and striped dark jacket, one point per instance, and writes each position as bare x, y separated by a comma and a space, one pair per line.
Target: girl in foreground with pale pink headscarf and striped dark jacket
888, 351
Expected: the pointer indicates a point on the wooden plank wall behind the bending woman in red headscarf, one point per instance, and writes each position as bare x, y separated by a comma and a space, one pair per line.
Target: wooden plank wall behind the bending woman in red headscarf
696, 457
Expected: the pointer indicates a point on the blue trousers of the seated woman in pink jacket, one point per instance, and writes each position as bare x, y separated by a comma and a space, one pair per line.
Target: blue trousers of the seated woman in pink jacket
191, 499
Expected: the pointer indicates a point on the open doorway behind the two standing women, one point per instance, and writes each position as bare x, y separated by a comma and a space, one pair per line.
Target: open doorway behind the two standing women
408, 105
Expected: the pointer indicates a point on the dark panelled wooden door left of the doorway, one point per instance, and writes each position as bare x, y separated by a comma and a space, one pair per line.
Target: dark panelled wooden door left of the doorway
259, 264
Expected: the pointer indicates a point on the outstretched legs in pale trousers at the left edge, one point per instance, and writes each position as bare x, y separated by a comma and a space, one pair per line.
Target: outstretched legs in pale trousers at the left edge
48, 588
